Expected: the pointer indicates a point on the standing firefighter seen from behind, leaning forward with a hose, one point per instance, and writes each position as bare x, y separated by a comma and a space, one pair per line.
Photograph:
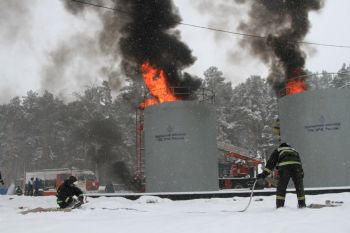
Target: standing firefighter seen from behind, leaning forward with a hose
288, 163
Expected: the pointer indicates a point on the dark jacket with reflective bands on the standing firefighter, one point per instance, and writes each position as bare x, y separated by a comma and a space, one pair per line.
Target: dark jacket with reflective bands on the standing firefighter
282, 156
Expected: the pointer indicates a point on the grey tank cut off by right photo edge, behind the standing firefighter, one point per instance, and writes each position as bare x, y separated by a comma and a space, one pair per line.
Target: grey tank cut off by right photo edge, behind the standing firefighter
317, 124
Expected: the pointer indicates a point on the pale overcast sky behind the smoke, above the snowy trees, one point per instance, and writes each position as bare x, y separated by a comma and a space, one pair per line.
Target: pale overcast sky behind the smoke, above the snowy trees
31, 31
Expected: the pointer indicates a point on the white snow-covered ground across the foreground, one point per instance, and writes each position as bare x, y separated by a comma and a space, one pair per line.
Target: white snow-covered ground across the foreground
151, 214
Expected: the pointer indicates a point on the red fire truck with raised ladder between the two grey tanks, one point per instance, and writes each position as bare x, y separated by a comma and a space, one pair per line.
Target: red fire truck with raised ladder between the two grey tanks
237, 167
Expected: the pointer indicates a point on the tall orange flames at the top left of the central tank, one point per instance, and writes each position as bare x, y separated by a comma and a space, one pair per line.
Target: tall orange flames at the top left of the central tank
156, 82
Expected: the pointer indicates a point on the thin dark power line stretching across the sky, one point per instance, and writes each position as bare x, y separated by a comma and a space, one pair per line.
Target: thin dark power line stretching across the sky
216, 29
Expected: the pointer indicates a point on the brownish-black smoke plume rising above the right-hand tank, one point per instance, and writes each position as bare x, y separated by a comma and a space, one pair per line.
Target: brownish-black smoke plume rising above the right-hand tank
285, 23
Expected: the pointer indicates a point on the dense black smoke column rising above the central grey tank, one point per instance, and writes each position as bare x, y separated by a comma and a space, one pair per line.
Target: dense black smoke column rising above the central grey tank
149, 35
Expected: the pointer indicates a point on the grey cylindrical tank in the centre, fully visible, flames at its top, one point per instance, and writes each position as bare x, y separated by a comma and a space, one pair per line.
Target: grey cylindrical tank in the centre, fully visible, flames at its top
180, 147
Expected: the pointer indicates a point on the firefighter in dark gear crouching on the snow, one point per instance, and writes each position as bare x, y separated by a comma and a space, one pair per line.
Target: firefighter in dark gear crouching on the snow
69, 195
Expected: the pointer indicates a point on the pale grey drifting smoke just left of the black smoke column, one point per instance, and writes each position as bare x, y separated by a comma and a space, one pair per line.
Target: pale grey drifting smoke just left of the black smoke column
87, 56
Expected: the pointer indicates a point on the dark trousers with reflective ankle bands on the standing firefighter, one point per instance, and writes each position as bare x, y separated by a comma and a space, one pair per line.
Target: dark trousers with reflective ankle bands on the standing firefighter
294, 171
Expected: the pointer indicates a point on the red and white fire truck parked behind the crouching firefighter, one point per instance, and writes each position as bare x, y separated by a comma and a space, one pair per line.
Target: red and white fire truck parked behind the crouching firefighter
51, 179
